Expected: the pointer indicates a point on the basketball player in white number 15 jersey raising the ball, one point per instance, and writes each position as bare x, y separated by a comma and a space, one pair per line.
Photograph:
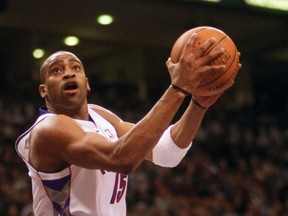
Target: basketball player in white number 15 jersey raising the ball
79, 154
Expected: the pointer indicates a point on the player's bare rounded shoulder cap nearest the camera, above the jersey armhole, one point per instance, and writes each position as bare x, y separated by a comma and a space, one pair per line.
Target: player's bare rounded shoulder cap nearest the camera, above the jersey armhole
50, 139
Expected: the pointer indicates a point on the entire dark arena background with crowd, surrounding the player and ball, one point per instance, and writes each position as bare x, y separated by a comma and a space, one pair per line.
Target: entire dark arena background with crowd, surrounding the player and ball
238, 163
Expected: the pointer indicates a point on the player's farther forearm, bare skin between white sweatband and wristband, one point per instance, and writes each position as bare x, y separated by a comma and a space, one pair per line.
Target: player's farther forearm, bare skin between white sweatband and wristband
185, 130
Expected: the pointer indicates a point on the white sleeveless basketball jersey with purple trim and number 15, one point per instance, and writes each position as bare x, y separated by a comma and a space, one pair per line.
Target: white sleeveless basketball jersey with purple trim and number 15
76, 191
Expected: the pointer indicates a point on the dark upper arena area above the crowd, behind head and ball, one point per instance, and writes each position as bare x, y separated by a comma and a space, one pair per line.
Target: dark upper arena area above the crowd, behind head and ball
134, 49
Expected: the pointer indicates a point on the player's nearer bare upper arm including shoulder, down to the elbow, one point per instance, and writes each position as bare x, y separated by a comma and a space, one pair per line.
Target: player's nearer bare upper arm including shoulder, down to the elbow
59, 141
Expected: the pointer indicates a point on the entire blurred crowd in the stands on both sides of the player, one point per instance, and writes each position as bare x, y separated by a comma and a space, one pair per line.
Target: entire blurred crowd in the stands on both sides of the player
237, 165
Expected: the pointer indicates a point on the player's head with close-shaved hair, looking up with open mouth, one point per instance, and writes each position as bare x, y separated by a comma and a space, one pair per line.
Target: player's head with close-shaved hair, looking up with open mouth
65, 84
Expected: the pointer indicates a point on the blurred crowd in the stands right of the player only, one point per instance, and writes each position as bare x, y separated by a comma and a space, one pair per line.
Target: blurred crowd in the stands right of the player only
237, 166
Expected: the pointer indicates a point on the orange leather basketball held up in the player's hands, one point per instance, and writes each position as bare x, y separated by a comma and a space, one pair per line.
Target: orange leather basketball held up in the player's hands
212, 83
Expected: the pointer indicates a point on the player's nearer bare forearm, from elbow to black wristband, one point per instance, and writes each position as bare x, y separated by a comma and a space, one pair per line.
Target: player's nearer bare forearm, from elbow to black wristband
134, 146
